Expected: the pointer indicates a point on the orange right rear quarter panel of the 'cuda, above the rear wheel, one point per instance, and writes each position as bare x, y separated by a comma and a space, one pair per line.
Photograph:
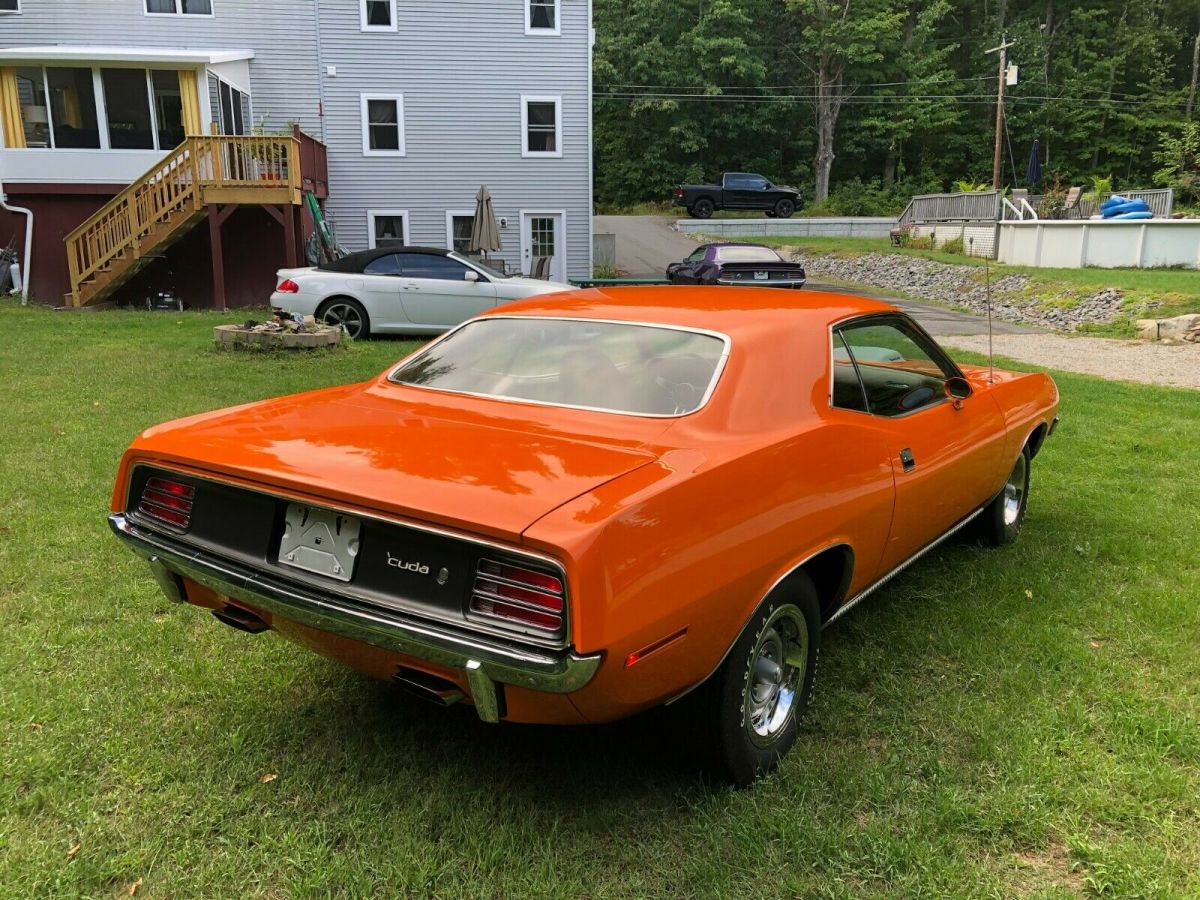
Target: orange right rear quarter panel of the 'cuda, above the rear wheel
698, 539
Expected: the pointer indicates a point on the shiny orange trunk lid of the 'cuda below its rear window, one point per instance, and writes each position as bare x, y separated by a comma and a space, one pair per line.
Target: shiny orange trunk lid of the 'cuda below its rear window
415, 460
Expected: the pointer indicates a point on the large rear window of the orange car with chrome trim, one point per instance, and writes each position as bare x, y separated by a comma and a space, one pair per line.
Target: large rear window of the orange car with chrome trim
616, 368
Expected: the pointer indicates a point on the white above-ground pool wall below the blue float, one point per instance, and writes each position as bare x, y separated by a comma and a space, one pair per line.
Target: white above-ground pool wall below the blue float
1113, 244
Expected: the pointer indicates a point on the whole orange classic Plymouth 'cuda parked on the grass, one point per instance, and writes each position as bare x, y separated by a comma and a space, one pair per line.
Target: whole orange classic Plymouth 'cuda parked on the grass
581, 507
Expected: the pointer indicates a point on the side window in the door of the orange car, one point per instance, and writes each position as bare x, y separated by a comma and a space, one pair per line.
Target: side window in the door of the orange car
899, 369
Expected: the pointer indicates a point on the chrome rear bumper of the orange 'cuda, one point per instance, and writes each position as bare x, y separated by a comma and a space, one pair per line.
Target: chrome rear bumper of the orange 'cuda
483, 662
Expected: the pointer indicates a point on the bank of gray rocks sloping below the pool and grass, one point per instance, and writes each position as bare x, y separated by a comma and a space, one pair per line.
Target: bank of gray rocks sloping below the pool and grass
963, 286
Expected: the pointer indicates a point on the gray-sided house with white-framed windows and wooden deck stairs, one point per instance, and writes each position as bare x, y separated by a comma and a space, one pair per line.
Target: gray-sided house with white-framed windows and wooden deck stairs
394, 112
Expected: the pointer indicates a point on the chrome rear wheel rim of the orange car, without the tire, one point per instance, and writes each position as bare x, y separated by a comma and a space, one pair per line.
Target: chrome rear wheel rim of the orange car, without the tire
776, 675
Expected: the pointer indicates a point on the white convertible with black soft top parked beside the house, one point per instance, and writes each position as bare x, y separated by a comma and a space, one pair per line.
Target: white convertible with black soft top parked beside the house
401, 291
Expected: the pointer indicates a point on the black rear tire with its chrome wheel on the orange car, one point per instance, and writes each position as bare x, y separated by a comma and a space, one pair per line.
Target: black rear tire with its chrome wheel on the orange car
736, 713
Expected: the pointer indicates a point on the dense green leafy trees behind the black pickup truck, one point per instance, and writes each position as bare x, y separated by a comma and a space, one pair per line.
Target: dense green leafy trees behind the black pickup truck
862, 104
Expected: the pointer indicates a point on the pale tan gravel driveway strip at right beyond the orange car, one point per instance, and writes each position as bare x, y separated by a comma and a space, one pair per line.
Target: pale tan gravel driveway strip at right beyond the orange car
1177, 365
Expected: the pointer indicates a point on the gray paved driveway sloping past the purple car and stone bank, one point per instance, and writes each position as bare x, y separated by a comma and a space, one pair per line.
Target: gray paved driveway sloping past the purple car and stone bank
647, 244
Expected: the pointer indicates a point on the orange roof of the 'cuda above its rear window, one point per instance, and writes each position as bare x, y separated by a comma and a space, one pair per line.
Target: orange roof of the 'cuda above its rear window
737, 313
